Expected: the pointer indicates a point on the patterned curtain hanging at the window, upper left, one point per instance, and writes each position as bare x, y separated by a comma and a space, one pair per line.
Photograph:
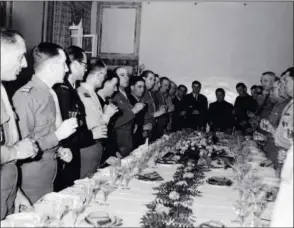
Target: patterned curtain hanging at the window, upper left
62, 19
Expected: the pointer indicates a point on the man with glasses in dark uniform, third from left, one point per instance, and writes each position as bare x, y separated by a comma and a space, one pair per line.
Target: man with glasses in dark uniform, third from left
70, 106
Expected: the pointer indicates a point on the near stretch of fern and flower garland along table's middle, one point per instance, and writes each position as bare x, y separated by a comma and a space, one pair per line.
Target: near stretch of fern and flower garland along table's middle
172, 205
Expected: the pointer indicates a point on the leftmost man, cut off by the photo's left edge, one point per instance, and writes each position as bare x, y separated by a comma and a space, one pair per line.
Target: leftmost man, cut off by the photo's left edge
12, 61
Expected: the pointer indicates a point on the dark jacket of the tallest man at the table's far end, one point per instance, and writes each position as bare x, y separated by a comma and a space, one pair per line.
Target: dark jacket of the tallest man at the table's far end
201, 104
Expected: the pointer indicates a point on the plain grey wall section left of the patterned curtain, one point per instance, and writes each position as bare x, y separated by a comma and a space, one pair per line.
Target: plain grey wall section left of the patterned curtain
27, 18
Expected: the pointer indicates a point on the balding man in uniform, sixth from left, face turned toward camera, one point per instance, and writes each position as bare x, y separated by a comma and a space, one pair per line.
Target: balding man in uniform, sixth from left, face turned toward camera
124, 119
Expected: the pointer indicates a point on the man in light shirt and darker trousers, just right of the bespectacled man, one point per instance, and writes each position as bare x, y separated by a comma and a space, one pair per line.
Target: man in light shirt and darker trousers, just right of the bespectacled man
96, 117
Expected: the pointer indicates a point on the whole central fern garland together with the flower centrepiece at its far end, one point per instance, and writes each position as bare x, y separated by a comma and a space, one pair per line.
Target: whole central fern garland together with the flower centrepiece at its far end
172, 205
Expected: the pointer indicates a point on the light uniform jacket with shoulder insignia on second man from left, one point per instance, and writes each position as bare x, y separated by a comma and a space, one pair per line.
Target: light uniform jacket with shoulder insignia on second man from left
36, 111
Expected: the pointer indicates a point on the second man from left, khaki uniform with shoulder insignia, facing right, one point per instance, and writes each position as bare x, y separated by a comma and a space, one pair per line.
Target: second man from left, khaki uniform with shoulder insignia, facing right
39, 118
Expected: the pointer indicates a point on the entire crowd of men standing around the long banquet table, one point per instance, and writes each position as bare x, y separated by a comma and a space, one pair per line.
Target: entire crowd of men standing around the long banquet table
71, 116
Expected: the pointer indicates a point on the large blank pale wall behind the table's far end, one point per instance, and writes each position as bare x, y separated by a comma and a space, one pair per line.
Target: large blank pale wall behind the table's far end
217, 43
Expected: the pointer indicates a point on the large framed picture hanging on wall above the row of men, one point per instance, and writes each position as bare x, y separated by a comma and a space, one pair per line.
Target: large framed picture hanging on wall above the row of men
118, 30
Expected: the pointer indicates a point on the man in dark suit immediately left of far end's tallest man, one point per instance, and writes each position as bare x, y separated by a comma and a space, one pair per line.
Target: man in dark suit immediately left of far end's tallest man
178, 119
